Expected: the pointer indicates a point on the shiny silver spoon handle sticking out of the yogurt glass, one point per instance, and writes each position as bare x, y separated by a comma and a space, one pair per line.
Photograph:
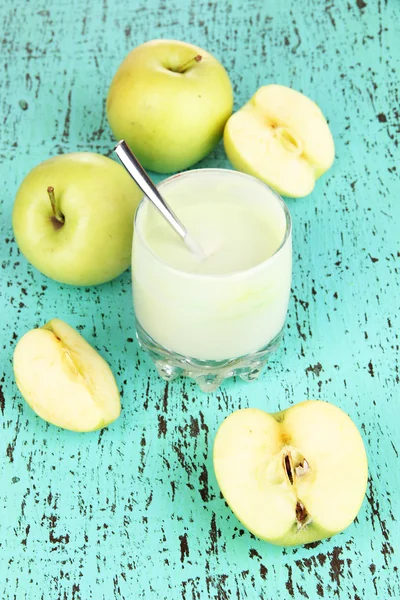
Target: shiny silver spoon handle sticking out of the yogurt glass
136, 171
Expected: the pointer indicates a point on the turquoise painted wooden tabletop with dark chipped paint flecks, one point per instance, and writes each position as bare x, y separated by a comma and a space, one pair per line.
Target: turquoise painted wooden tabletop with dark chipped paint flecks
134, 511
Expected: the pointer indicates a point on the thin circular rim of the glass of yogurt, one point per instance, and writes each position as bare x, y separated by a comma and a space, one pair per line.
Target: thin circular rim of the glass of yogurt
233, 274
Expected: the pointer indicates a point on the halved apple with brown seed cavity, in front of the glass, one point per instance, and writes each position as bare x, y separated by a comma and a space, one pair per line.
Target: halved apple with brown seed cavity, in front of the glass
292, 477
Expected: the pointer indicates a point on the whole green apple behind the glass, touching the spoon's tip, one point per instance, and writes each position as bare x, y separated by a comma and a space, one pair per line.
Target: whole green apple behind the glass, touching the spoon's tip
170, 101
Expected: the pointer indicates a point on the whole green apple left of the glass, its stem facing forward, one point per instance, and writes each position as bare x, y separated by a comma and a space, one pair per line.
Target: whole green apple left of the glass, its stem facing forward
73, 218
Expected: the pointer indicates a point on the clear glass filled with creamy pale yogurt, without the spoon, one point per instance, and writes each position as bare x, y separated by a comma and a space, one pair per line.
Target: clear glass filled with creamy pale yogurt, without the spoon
222, 316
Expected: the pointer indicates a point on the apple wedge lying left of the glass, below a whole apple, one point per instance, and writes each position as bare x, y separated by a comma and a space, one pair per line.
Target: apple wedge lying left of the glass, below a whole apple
64, 380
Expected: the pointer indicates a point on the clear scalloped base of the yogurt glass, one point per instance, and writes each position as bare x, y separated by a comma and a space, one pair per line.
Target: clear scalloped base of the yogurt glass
208, 374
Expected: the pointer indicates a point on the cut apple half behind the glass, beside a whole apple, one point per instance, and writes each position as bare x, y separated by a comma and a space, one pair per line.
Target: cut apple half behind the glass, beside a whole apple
281, 137
